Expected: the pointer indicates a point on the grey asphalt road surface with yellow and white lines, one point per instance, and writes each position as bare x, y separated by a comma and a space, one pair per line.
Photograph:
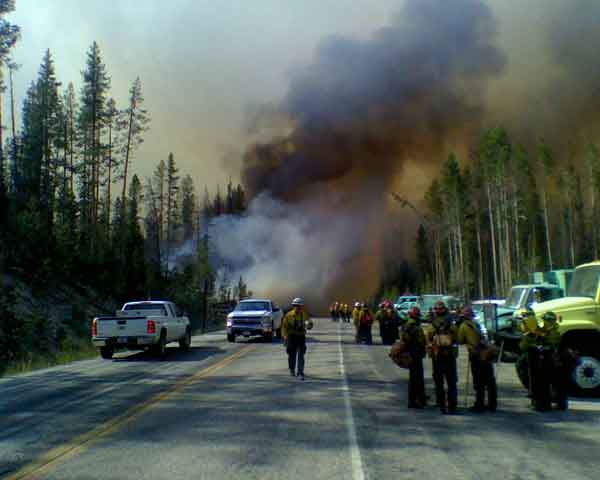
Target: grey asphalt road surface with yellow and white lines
232, 411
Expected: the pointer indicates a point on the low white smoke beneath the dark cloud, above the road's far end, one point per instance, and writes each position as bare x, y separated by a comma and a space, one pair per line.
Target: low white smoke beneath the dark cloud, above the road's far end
286, 250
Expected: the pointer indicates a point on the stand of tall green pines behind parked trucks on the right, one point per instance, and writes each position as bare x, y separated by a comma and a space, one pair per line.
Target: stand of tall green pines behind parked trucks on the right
514, 212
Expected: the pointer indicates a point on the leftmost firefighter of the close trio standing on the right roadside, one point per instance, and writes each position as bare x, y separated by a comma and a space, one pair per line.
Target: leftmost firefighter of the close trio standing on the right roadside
414, 338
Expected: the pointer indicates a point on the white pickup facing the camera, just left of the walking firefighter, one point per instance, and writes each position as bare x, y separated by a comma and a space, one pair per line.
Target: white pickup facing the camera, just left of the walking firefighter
254, 317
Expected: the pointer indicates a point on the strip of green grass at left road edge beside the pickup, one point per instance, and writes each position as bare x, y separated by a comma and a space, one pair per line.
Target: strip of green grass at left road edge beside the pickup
36, 361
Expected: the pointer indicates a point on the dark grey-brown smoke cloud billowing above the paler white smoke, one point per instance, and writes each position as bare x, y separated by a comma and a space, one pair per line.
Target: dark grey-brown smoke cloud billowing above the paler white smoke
367, 105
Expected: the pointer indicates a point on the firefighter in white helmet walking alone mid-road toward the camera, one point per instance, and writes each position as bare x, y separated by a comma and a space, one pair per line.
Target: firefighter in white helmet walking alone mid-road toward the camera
293, 329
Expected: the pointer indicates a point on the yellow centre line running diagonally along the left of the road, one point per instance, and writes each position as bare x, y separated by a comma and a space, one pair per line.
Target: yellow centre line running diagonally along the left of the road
59, 455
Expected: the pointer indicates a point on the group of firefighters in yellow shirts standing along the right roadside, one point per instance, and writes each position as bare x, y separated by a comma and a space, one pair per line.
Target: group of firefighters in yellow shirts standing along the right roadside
546, 366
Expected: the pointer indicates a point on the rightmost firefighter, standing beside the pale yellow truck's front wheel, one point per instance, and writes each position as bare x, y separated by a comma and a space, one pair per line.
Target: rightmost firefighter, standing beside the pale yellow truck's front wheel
558, 361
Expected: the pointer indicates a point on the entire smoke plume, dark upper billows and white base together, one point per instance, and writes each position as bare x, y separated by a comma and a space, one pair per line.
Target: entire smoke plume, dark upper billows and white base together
366, 117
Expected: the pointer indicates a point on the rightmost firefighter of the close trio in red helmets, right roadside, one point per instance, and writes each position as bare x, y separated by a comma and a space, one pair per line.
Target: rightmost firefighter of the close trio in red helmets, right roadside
469, 334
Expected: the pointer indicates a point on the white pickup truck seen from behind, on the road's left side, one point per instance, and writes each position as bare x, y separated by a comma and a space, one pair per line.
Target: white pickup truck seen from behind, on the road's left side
142, 325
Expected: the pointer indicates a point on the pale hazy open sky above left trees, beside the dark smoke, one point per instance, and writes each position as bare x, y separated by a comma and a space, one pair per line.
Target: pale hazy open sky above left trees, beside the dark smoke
202, 62
